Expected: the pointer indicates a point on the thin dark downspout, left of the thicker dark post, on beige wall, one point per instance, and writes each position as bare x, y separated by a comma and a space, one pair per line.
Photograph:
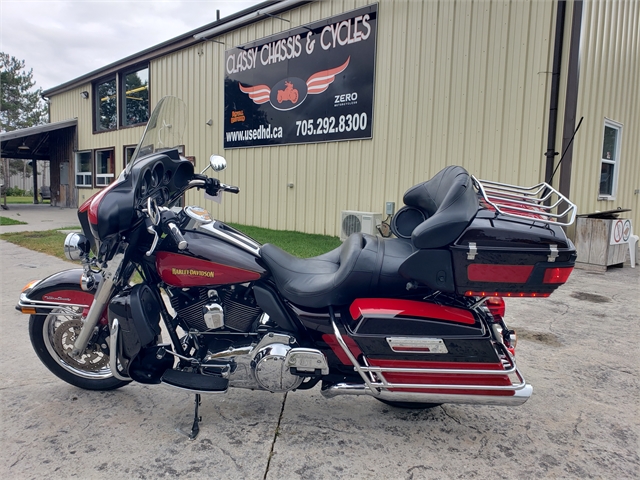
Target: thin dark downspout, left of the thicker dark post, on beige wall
555, 90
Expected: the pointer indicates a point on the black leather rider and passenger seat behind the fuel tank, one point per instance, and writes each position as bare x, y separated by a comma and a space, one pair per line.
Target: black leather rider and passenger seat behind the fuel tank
363, 266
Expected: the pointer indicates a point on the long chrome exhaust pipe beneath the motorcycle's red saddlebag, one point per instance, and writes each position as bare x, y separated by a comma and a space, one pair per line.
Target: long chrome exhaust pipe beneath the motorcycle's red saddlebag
518, 398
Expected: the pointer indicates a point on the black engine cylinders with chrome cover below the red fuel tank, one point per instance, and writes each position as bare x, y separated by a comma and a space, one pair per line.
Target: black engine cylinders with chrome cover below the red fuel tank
232, 308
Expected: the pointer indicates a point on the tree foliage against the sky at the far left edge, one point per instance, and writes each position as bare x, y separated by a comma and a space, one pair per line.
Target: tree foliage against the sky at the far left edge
20, 106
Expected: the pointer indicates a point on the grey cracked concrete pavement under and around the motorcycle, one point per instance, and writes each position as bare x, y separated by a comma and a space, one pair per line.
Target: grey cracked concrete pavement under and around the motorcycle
578, 348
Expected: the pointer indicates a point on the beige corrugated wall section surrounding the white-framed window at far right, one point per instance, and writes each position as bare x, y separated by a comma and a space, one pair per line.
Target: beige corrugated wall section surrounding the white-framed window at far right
609, 88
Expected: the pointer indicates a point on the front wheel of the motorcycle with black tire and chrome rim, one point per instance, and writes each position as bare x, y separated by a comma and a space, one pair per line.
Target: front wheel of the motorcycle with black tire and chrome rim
53, 336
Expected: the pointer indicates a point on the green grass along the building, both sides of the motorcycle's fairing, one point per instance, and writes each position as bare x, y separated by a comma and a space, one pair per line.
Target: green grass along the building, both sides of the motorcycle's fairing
296, 243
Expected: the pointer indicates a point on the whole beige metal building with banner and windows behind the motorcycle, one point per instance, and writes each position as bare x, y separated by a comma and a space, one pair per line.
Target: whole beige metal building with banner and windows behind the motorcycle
495, 86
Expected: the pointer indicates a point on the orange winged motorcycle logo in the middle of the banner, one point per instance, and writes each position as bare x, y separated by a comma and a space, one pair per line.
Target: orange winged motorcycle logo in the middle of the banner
290, 92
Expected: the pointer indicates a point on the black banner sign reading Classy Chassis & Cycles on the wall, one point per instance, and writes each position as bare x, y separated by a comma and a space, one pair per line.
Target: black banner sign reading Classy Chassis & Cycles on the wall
307, 85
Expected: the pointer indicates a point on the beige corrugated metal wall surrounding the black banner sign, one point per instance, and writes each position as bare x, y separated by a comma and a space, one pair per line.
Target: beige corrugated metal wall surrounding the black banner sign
457, 82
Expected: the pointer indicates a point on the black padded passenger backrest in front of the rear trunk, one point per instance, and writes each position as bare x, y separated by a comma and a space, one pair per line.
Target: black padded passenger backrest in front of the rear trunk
450, 201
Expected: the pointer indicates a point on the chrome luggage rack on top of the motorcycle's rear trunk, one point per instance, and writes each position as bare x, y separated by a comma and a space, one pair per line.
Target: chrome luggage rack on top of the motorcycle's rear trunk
526, 203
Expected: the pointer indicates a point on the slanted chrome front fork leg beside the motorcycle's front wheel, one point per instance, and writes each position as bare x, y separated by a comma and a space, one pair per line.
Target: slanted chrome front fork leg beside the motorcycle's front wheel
110, 278
